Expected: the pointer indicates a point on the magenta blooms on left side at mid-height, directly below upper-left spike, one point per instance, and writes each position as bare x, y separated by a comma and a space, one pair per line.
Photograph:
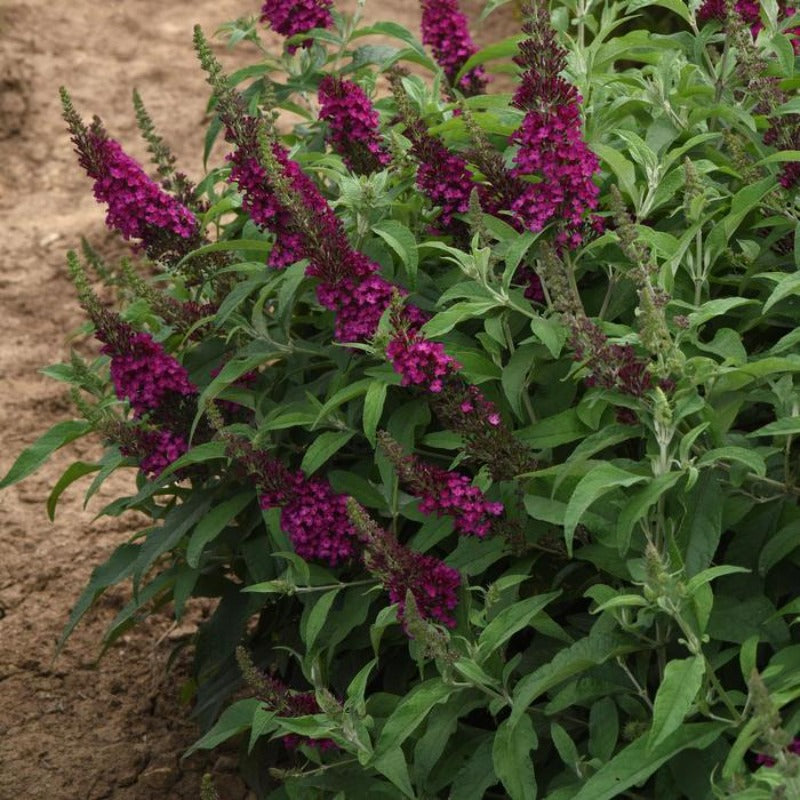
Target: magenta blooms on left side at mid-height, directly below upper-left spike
145, 374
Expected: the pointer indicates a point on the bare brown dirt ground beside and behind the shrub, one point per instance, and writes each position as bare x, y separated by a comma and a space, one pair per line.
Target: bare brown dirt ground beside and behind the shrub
72, 729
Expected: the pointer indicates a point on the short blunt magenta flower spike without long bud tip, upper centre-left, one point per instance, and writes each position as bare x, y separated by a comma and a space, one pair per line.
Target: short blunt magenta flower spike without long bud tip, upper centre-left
353, 125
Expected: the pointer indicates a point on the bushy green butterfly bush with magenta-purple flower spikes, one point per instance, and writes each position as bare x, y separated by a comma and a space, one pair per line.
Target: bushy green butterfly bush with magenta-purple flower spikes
464, 385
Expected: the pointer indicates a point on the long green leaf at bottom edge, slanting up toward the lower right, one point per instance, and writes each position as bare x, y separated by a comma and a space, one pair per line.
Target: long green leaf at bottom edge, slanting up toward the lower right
636, 763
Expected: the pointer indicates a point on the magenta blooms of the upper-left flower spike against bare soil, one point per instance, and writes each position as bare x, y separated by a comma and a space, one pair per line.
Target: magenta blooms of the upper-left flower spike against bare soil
137, 206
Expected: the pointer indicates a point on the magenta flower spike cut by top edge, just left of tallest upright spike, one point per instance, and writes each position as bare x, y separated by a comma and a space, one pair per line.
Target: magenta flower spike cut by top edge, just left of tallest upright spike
445, 30
